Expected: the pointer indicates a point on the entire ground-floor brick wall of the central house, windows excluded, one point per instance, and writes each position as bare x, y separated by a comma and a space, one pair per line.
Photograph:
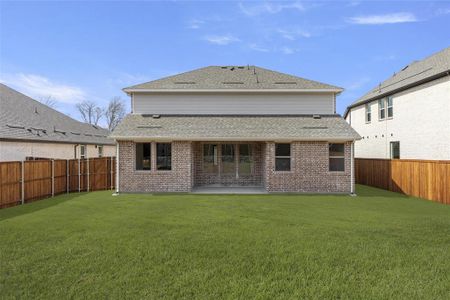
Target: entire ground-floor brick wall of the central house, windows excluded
309, 170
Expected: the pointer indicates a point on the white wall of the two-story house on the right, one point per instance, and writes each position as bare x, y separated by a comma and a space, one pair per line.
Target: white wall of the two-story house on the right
421, 123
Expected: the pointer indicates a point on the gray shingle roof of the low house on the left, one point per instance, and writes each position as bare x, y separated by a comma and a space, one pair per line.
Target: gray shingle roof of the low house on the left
22, 118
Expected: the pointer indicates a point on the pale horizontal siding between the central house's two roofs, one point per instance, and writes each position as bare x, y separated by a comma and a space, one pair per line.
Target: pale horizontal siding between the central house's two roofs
273, 103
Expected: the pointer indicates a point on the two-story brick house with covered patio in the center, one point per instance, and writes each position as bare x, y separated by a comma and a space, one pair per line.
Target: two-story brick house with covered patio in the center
234, 126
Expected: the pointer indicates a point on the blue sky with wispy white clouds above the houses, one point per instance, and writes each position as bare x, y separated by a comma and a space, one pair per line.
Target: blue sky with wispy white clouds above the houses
72, 51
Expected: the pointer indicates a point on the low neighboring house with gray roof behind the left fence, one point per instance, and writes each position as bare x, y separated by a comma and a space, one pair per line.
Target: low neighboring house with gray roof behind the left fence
30, 130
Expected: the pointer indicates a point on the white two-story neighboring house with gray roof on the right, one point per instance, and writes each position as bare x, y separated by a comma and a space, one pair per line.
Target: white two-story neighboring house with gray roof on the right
408, 115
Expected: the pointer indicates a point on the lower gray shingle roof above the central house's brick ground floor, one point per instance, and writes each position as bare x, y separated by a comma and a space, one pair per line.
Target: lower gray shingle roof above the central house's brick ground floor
247, 128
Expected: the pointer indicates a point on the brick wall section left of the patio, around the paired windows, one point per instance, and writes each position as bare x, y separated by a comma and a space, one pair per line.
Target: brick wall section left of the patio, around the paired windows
179, 179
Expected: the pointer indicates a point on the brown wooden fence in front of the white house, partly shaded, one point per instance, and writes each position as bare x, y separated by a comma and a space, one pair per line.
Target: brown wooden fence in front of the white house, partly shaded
428, 179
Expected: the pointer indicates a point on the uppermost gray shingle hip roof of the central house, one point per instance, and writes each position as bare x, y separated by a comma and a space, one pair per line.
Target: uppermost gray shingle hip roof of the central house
225, 78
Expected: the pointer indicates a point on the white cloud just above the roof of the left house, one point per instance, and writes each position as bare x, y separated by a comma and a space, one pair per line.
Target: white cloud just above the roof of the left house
40, 87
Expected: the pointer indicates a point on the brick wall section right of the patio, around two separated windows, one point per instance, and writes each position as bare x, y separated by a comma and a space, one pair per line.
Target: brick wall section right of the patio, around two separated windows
309, 170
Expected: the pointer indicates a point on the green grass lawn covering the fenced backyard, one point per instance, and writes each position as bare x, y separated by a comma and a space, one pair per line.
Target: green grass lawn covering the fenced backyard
377, 245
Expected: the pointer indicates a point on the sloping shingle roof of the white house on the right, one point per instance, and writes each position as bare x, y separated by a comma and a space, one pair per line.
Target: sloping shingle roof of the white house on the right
418, 72
